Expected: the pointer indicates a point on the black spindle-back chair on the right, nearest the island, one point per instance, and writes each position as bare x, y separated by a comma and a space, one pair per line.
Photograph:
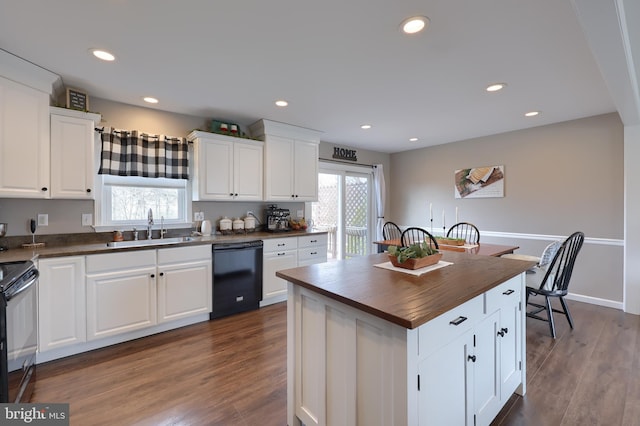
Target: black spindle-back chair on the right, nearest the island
555, 282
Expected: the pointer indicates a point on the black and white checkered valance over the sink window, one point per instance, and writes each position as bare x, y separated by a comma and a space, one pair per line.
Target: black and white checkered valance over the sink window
128, 153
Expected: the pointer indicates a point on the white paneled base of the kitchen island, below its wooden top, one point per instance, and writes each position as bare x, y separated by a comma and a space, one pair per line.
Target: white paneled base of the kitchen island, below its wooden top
348, 367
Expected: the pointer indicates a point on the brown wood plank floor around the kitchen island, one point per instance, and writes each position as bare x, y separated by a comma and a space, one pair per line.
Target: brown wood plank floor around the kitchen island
232, 371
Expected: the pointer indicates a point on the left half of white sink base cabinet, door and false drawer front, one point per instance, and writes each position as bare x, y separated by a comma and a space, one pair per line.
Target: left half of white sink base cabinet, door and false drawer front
121, 292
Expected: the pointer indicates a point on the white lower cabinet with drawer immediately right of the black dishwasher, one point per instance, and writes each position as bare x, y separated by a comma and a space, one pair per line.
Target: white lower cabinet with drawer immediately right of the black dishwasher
278, 253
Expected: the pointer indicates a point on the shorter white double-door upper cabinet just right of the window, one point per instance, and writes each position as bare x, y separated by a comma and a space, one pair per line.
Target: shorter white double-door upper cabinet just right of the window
226, 168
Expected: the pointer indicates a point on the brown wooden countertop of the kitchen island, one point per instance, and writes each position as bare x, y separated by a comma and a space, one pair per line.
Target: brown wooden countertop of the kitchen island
404, 299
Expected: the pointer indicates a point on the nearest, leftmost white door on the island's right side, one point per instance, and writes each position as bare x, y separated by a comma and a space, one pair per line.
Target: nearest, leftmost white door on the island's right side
445, 384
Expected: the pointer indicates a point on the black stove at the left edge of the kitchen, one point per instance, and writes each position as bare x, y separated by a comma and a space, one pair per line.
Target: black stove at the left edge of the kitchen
18, 330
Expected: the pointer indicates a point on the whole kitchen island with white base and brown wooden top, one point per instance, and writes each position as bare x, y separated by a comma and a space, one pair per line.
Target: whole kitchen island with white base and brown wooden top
373, 346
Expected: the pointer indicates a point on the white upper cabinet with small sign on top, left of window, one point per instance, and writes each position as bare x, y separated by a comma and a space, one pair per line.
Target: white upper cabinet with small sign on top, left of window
72, 153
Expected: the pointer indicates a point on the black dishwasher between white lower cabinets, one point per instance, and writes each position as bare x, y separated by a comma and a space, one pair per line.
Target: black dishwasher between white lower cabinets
237, 277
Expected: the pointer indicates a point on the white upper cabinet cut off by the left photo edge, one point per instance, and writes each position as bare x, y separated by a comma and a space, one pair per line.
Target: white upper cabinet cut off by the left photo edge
24, 141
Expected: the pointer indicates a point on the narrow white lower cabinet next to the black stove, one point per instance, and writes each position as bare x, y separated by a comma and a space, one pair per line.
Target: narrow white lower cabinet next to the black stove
61, 302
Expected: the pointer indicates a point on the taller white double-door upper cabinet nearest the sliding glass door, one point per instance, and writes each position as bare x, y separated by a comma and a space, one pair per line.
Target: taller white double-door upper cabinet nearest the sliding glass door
291, 161
